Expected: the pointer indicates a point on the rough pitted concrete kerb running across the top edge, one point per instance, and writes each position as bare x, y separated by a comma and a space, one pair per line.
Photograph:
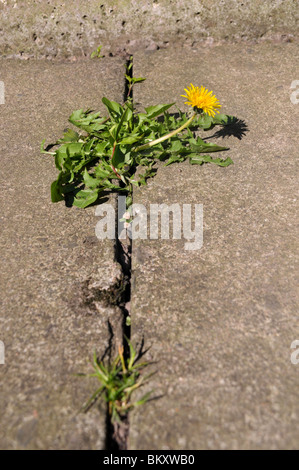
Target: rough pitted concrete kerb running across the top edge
36, 28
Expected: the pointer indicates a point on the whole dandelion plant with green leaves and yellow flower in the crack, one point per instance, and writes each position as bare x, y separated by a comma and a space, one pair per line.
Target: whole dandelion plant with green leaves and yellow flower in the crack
105, 151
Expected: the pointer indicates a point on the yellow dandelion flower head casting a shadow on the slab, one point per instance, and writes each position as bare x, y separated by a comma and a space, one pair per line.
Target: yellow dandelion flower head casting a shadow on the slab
203, 99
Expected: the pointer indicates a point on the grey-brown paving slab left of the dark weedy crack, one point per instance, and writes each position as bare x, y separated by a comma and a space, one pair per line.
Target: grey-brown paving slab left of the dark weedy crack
50, 261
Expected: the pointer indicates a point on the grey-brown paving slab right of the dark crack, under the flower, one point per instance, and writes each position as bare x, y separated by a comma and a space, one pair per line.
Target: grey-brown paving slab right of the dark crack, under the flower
220, 321
